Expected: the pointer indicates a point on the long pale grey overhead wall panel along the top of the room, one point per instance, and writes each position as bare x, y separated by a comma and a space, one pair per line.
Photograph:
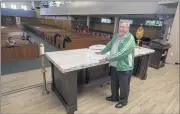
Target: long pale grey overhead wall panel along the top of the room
90, 8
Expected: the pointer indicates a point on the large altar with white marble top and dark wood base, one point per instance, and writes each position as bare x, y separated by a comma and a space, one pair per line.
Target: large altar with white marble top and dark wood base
72, 69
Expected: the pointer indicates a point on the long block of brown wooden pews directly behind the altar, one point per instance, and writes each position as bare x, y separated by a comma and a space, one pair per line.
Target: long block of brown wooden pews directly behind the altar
78, 39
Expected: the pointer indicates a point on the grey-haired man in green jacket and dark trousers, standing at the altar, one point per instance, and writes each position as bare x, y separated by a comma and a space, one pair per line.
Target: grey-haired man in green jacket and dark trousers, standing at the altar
121, 61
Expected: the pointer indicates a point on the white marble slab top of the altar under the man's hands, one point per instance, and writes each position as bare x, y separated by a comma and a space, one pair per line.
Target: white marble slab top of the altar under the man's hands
71, 60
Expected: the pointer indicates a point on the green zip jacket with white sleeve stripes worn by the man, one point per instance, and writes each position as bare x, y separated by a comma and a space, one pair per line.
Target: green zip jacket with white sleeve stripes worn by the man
125, 54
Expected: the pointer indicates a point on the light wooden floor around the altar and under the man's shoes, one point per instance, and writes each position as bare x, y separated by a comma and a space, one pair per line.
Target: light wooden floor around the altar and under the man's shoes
158, 94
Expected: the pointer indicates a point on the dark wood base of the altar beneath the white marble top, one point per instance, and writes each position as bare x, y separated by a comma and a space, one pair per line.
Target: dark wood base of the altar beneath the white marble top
67, 85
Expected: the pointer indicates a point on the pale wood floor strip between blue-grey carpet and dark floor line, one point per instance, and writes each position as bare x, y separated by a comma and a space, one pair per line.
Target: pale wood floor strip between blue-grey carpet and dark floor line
23, 80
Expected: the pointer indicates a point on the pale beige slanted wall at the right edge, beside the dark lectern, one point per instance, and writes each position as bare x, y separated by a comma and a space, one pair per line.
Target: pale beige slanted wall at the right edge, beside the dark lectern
173, 54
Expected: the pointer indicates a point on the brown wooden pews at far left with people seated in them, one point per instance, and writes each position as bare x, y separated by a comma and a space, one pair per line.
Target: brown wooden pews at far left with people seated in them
21, 49
